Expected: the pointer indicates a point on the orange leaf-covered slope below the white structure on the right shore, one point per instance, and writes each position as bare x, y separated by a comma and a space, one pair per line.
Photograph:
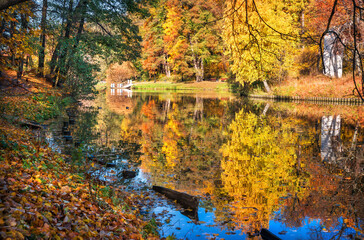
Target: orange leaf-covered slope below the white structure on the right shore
314, 86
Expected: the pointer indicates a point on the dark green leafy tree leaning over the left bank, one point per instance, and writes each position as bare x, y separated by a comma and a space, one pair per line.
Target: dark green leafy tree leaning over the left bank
90, 29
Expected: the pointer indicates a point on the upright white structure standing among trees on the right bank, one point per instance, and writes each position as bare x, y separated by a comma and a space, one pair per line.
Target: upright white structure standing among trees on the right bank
332, 56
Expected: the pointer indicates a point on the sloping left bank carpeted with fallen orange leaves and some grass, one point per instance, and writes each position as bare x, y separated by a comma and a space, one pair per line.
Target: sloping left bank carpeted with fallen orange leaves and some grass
42, 195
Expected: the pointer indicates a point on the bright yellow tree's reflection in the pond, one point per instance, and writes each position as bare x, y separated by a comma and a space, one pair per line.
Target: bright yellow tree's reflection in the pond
259, 168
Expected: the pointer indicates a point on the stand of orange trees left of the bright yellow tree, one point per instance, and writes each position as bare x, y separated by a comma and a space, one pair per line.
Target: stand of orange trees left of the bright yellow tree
182, 38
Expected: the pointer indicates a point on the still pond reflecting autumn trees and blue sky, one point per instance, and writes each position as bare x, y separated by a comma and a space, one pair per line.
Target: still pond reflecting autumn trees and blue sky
295, 169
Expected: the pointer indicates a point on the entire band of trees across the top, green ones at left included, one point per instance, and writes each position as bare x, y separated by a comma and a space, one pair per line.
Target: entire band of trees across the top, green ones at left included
250, 42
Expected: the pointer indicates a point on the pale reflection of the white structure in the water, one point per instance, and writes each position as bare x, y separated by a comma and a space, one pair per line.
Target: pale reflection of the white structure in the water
330, 138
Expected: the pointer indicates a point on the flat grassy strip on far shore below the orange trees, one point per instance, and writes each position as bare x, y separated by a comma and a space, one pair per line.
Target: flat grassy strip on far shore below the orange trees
192, 86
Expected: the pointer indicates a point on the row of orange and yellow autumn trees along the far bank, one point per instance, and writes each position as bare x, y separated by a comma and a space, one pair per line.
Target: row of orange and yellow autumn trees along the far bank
252, 41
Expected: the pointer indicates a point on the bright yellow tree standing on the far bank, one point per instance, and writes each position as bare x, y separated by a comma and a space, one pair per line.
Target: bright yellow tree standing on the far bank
260, 38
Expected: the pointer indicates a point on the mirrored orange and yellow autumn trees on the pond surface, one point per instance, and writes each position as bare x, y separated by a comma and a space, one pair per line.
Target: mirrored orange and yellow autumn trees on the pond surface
251, 169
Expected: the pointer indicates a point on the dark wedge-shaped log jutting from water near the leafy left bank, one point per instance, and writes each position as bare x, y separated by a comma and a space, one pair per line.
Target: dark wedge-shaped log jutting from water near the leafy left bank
187, 201
